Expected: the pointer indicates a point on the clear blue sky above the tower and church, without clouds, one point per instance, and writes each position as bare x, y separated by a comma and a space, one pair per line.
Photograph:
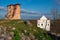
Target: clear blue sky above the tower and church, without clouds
40, 6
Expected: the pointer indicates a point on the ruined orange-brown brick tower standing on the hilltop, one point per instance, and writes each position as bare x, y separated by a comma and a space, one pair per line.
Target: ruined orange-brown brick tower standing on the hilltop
13, 12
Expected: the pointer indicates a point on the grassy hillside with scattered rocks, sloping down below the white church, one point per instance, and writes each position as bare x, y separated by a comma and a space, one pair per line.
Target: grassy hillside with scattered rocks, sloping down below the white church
23, 31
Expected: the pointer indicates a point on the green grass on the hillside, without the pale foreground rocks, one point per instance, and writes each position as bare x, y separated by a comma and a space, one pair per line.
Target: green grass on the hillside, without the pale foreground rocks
21, 26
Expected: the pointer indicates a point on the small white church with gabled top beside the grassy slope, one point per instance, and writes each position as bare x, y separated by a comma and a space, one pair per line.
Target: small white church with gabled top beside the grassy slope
43, 23
